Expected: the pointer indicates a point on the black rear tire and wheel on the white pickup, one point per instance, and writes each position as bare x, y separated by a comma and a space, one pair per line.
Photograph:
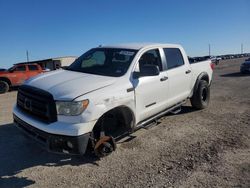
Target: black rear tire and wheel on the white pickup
201, 96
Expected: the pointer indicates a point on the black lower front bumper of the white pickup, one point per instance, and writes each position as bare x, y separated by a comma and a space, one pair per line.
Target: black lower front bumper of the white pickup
53, 142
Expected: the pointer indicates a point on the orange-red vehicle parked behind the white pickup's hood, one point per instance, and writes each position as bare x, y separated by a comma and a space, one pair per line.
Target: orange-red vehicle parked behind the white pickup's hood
17, 74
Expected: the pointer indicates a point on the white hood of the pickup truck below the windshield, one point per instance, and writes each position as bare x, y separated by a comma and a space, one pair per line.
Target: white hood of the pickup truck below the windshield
68, 85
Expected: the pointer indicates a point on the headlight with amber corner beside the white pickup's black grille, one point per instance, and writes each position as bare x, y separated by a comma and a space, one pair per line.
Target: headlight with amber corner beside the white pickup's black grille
72, 108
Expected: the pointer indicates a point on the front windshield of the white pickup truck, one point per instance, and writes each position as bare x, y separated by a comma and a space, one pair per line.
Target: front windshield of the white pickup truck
104, 61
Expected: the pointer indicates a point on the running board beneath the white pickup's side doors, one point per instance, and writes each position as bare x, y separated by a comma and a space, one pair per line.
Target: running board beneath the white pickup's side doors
159, 115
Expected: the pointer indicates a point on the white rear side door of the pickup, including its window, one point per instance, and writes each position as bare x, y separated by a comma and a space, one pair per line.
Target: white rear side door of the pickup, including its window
179, 75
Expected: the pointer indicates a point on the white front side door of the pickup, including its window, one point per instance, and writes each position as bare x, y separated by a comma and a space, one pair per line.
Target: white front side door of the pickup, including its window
150, 91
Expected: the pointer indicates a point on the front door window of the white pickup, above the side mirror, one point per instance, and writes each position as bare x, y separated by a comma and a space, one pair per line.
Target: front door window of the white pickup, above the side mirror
151, 57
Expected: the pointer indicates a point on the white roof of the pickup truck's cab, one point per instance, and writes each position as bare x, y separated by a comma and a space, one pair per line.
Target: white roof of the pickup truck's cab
137, 46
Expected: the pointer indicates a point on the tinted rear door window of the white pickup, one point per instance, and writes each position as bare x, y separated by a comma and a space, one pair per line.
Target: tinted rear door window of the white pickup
174, 57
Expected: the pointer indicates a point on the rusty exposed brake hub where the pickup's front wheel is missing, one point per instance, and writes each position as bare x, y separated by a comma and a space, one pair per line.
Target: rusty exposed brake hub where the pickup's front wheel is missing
104, 146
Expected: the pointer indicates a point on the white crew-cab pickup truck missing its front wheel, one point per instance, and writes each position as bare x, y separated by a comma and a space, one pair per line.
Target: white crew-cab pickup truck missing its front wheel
108, 92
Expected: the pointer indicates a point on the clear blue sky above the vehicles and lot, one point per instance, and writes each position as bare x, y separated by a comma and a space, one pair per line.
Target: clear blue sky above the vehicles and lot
55, 28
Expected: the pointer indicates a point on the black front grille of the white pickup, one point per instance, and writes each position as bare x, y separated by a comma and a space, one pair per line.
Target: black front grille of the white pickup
38, 103
